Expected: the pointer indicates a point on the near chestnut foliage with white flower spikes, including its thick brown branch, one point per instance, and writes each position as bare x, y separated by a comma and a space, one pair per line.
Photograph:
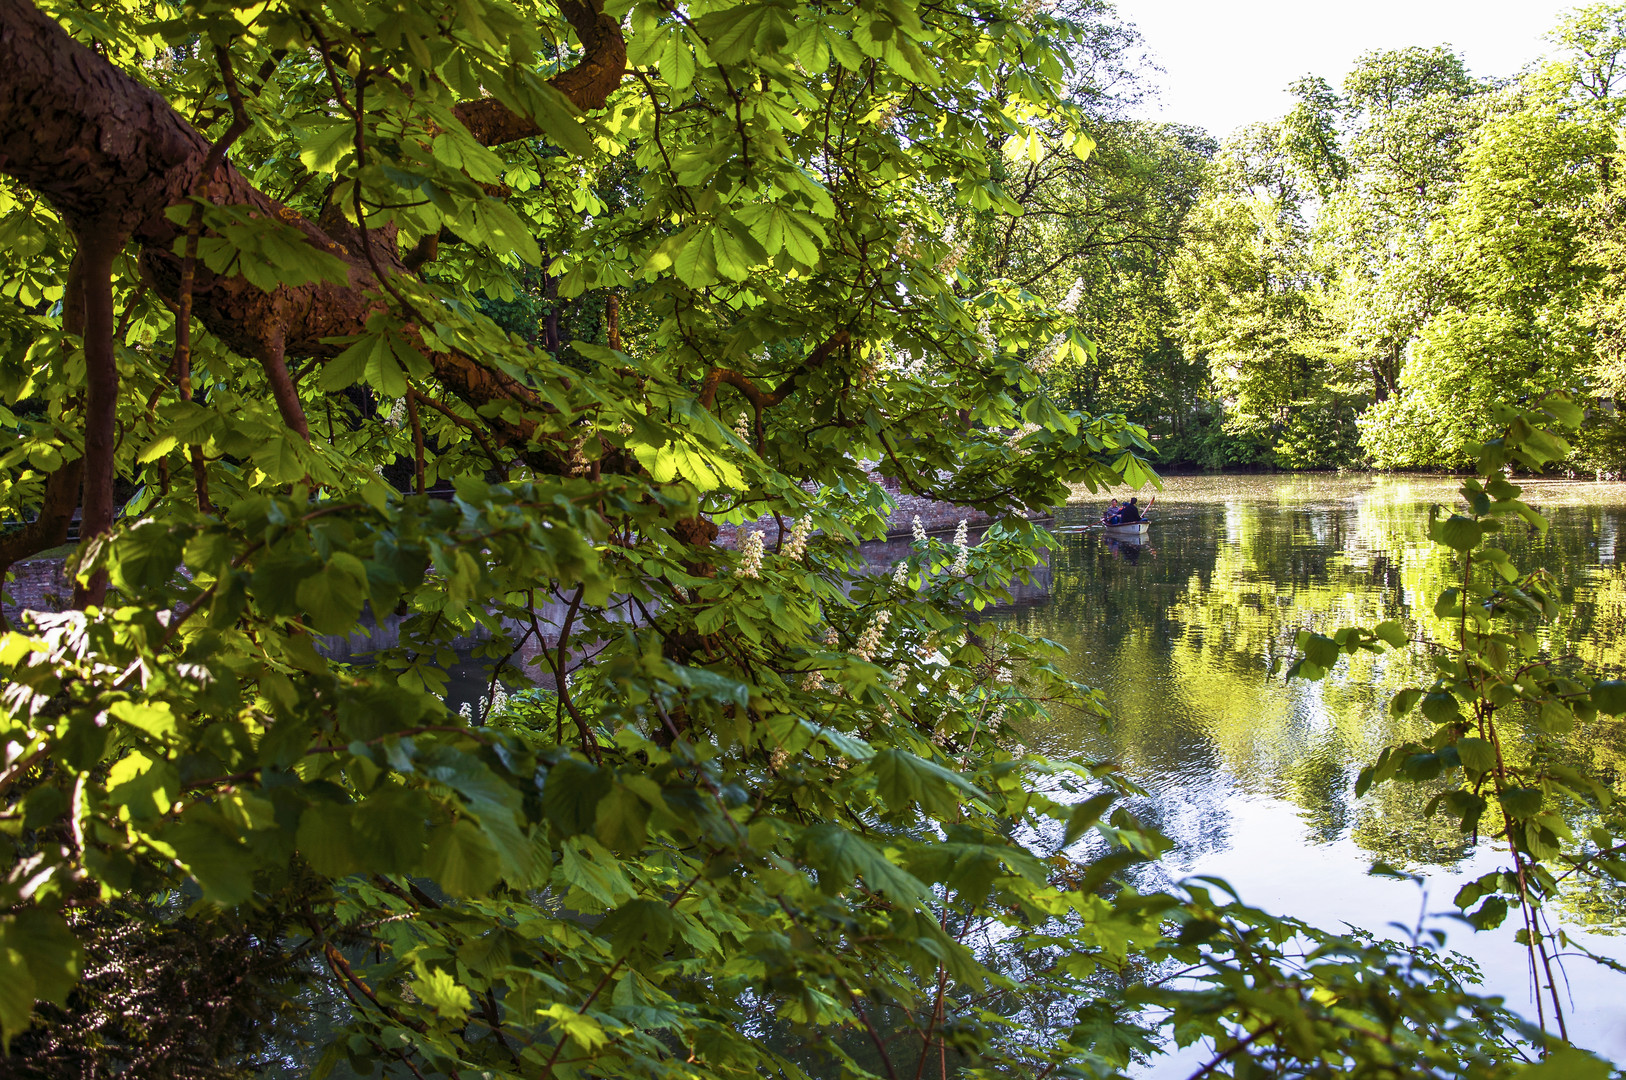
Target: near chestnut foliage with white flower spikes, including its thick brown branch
285, 318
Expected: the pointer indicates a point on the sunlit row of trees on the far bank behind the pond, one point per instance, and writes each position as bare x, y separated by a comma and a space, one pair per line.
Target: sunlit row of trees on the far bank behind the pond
1357, 282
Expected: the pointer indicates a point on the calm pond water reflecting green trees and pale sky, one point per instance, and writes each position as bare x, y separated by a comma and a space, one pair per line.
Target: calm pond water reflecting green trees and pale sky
1253, 778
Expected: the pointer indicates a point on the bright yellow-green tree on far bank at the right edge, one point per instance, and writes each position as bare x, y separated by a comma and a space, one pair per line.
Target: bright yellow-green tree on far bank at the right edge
1510, 320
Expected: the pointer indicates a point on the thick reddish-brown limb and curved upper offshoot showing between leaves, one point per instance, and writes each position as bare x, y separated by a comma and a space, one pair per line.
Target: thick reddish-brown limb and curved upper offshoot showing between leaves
111, 155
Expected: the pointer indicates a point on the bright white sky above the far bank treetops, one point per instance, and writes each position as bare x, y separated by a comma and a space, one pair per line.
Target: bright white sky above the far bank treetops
1230, 63
